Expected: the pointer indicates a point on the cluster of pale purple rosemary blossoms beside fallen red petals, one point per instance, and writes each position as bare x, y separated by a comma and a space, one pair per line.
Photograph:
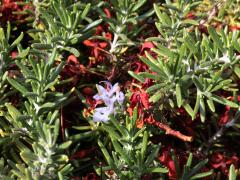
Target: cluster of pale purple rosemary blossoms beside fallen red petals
112, 98
